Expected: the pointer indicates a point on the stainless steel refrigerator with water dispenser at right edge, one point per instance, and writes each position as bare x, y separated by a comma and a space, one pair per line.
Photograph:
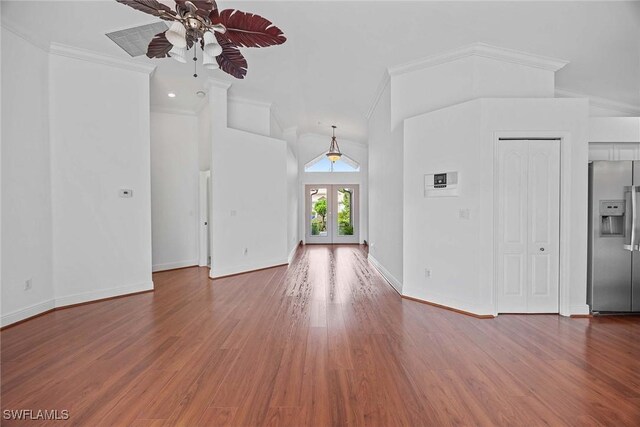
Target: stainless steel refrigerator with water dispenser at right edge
614, 236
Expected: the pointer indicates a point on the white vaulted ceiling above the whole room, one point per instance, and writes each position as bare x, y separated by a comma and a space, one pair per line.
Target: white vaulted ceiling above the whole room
336, 53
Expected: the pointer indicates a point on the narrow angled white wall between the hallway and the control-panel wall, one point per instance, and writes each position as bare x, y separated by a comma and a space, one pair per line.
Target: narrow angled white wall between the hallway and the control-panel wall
385, 191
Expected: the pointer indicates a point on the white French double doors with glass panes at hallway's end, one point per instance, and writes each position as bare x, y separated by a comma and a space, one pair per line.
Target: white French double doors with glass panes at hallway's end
331, 214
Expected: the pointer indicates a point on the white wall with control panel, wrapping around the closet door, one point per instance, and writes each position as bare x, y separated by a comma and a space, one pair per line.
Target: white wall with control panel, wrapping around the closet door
459, 252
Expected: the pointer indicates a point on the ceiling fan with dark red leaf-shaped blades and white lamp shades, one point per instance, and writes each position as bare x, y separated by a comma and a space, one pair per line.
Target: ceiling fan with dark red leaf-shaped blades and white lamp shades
220, 34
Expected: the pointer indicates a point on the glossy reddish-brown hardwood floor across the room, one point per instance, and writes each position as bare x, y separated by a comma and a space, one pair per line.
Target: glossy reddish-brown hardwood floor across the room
323, 342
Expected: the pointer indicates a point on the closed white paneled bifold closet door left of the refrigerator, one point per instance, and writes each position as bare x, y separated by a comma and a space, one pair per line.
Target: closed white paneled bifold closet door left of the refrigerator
529, 226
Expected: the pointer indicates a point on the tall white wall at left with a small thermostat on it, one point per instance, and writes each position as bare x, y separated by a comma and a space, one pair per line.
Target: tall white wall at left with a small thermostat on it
100, 144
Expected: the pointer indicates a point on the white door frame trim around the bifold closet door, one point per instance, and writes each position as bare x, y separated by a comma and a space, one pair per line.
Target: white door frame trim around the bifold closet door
564, 283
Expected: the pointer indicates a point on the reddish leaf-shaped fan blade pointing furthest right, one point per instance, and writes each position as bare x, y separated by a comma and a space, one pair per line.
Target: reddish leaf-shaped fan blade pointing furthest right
249, 30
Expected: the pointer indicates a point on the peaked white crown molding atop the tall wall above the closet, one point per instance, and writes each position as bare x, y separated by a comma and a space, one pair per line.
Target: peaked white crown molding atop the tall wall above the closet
483, 50
